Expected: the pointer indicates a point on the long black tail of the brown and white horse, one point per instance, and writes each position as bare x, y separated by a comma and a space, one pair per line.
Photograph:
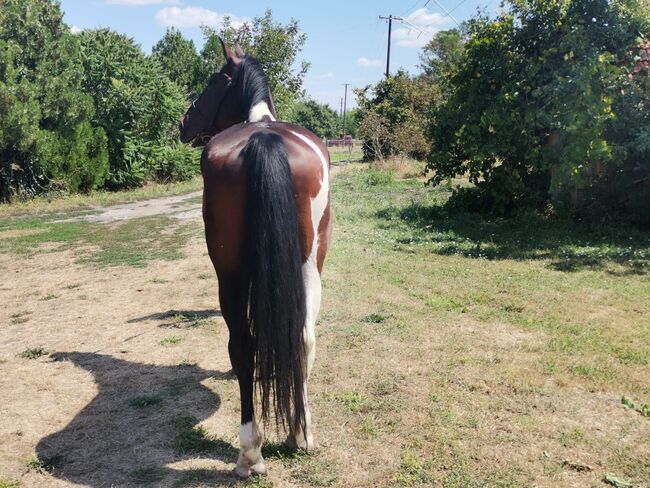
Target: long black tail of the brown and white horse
276, 307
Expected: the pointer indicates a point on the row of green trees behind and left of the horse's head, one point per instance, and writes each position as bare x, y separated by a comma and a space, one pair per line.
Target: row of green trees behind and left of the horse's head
80, 111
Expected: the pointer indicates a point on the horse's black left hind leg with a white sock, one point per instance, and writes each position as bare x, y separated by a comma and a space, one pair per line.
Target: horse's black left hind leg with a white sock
233, 299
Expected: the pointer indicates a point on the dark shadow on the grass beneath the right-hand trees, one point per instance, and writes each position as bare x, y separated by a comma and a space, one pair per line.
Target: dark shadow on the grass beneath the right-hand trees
569, 246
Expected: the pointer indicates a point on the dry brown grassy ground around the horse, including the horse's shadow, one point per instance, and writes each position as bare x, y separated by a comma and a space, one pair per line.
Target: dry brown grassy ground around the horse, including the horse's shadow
432, 369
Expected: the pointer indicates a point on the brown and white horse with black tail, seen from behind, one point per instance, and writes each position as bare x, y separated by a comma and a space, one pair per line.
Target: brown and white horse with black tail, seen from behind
266, 211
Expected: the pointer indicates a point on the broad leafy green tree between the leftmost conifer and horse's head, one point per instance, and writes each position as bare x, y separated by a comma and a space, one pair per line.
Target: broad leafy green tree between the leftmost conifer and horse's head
136, 104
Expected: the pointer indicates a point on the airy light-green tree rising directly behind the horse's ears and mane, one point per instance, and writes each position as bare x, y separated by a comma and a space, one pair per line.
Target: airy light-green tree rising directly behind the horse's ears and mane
276, 46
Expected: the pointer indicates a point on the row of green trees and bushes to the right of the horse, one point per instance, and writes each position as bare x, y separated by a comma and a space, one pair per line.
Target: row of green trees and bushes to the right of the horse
545, 106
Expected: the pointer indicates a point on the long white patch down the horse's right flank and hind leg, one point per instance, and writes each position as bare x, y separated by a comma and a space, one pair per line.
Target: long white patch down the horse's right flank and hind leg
313, 287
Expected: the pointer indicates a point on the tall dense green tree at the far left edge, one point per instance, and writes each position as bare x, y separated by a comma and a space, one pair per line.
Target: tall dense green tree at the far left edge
46, 139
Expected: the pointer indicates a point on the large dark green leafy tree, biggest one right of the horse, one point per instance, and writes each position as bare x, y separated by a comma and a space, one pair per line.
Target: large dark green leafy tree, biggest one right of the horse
531, 98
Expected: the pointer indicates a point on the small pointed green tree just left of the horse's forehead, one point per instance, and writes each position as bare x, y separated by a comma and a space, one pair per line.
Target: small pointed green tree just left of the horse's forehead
180, 60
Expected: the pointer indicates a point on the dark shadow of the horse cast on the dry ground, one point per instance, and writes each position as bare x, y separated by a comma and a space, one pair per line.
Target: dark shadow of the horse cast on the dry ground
142, 420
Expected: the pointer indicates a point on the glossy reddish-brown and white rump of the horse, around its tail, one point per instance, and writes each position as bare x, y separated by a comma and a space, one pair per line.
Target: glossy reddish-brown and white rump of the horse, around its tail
225, 186
